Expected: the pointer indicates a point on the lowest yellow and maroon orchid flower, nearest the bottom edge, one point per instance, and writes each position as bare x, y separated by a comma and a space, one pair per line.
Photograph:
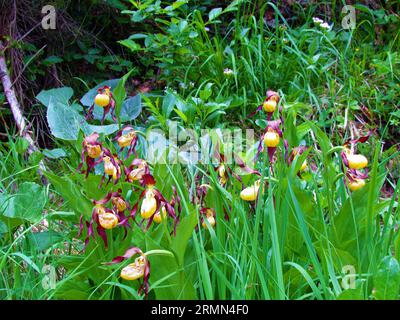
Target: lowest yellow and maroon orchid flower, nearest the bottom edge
139, 269
